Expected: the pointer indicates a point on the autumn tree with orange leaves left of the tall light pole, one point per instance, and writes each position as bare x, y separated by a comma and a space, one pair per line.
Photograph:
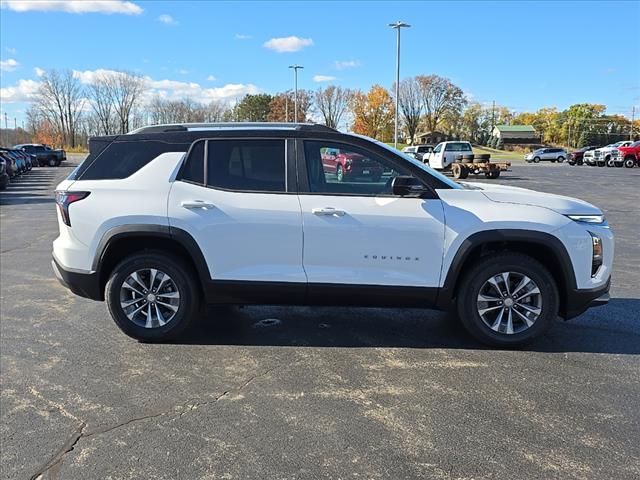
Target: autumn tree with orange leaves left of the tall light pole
373, 113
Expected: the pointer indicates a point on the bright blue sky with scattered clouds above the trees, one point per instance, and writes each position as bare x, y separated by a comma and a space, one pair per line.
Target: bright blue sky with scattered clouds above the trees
523, 55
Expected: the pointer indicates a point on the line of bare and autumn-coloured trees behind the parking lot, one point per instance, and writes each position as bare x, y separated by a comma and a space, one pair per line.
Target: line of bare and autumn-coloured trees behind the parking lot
66, 112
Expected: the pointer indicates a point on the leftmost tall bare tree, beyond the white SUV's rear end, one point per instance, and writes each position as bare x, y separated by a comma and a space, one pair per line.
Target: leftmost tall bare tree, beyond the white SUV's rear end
60, 100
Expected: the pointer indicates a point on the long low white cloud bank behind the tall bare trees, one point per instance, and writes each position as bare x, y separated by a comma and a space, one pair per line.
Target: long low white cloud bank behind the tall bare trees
178, 90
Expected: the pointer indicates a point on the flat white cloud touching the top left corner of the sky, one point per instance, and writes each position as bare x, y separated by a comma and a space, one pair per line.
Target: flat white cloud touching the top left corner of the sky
73, 6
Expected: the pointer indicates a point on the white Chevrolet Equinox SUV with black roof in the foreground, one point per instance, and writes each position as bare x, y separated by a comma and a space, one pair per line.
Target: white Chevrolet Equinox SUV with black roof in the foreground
167, 218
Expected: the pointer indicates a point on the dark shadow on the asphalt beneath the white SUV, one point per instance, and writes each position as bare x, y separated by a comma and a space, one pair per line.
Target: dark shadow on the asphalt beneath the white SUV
609, 329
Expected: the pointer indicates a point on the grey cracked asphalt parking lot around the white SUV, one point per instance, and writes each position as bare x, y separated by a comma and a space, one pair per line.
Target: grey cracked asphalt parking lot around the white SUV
307, 393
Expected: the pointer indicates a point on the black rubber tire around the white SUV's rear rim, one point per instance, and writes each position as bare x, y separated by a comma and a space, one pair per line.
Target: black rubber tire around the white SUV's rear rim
182, 276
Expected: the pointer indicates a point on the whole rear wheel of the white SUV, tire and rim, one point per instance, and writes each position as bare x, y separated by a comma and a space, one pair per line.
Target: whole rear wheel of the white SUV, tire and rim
152, 297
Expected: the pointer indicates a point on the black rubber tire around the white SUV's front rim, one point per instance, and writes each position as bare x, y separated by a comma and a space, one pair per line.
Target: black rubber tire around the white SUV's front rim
474, 279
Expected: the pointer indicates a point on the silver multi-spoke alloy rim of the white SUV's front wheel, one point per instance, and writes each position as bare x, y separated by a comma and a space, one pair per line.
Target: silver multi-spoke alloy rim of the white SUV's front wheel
509, 303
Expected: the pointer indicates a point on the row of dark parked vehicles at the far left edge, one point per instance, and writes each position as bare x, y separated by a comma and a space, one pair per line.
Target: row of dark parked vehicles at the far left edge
22, 158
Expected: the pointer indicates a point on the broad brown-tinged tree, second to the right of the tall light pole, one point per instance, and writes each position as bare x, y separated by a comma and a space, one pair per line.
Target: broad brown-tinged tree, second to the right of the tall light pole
439, 95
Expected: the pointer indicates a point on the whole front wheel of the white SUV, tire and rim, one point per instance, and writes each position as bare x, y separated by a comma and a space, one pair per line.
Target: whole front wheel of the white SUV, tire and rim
507, 299
